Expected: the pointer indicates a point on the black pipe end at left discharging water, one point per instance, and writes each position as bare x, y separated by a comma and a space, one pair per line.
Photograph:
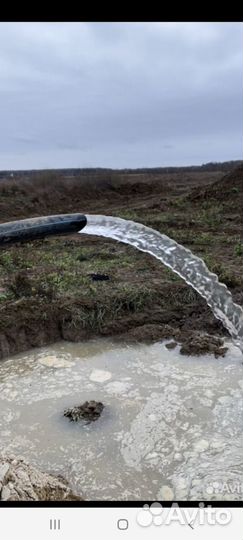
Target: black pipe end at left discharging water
25, 230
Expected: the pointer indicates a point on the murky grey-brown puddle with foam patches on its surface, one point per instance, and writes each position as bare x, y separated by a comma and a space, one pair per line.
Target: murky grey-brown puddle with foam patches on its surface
172, 426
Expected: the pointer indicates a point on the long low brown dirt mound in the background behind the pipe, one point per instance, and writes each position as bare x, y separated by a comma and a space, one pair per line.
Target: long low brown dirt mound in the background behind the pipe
49, 193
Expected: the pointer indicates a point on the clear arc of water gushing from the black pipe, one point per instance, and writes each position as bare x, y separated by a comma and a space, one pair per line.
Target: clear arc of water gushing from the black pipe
180, 259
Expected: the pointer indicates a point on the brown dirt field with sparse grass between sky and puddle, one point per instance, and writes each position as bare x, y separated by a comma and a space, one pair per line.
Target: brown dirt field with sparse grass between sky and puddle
47, 292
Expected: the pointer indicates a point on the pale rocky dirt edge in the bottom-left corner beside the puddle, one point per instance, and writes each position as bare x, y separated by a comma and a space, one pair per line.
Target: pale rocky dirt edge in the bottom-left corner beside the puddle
20, 481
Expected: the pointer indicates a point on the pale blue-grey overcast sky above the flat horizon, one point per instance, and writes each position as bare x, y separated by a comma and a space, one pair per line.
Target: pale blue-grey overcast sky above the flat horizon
119, 94
